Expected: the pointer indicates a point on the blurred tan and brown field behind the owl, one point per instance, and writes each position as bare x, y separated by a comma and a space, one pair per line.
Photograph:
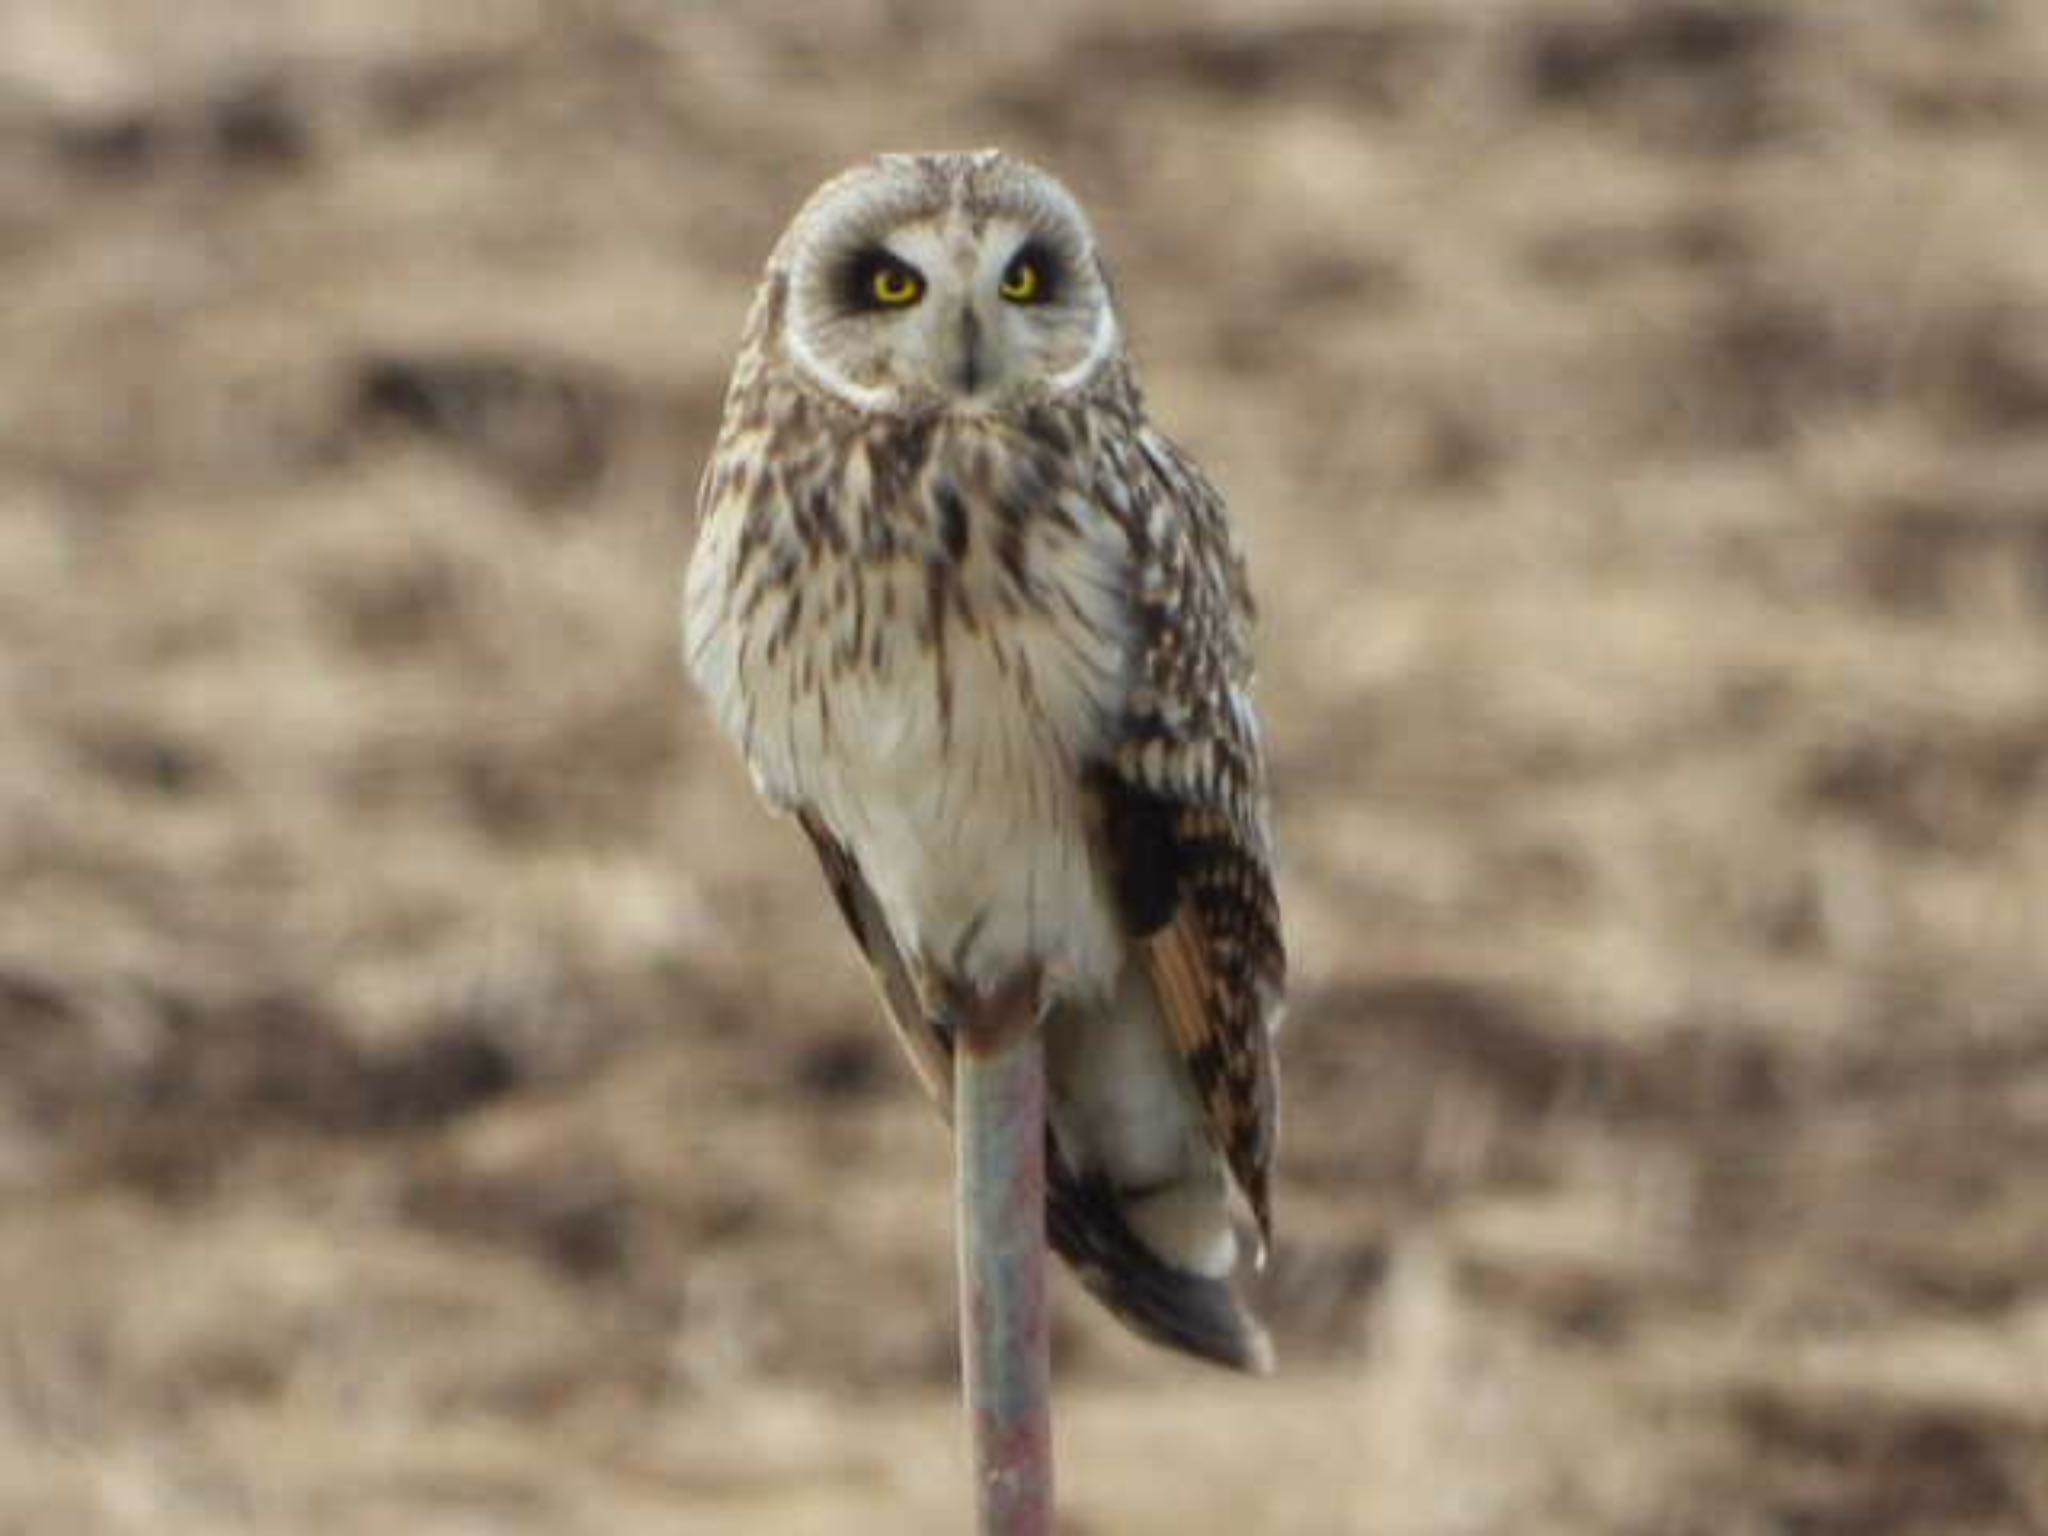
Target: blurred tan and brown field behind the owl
437, 1099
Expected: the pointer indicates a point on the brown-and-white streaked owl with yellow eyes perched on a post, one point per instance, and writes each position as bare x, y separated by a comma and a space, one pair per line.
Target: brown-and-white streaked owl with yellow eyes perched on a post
984, 634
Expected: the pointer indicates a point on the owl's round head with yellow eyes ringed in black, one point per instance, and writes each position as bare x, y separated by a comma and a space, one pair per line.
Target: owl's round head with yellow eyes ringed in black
945, 282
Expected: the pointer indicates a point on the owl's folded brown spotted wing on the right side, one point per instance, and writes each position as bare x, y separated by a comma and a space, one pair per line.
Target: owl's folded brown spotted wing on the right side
1183, 812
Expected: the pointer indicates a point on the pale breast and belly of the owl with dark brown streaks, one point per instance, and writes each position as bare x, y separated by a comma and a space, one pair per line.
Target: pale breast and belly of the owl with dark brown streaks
927, 660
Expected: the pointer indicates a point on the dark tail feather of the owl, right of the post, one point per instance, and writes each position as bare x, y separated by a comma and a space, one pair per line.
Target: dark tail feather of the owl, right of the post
1175, 1308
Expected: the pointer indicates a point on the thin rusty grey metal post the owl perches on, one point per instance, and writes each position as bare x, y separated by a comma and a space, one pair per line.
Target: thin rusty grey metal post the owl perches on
998, 1093
